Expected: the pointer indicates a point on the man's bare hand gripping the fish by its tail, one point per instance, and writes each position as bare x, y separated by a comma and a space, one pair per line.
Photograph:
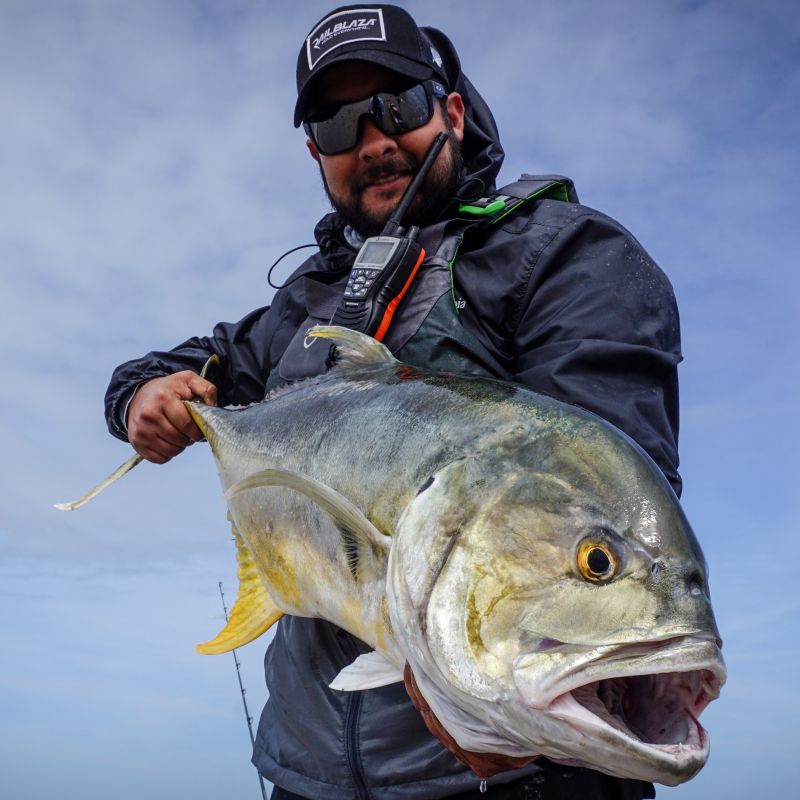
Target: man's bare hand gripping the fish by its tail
159, 426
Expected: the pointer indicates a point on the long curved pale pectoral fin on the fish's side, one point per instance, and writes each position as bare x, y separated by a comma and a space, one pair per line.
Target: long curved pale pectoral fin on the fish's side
366, 548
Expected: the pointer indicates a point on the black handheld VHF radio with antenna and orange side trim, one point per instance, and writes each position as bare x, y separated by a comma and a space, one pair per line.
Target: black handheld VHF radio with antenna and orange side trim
385, 265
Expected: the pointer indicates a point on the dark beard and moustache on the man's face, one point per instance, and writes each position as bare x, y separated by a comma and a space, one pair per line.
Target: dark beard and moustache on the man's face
436, 190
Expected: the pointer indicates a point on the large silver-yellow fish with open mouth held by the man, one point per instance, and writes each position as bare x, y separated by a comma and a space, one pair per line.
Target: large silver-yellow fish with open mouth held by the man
527, 560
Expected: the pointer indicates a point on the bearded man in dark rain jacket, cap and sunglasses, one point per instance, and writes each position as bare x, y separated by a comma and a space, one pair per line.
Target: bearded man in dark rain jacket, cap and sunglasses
529, 286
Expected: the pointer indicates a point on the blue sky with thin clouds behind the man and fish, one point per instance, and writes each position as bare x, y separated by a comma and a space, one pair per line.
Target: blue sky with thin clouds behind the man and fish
150, 173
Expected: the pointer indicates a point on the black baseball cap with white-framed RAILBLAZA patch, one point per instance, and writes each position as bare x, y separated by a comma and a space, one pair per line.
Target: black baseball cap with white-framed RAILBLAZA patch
383, 35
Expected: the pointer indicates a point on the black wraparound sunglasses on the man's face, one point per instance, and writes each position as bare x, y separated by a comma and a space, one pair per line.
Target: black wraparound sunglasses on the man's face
339, 129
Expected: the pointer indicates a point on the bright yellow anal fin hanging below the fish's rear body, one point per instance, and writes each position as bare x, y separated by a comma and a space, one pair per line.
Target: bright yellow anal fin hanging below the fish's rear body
253, 612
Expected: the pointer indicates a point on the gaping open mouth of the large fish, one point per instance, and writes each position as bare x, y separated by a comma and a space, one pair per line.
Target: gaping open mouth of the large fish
658, 710
